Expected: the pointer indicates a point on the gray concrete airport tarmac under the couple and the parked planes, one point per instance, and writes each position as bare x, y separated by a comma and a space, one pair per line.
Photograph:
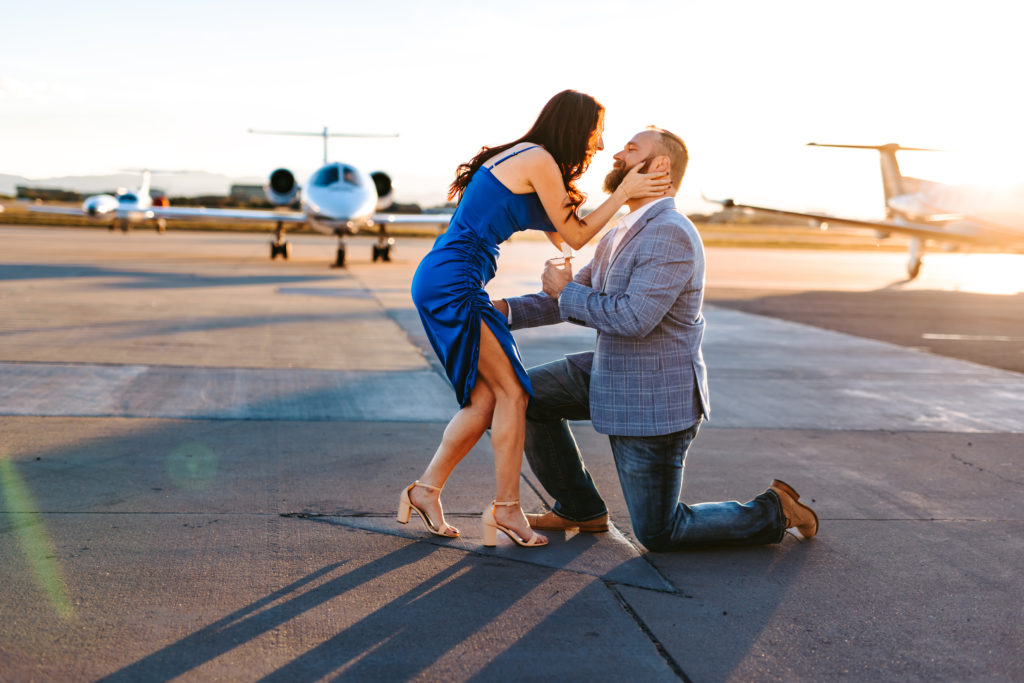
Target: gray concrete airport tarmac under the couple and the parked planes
201, 453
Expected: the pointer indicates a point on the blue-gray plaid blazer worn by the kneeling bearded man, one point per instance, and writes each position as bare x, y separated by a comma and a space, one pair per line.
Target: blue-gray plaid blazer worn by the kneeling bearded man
648, 372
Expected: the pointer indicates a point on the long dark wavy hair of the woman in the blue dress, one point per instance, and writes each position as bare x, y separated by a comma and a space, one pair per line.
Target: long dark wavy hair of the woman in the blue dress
566, 129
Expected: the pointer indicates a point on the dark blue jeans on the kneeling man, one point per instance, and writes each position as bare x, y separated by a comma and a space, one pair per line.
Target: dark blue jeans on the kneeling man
651, 472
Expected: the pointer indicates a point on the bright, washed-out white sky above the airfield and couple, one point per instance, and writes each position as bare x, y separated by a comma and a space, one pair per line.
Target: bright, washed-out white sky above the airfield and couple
90, 89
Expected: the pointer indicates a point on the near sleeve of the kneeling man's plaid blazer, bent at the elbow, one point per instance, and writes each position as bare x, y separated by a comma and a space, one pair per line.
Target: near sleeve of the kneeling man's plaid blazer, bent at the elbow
662, 269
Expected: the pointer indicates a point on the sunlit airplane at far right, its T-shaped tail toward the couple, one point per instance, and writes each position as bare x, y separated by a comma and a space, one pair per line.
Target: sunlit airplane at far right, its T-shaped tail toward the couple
924, 210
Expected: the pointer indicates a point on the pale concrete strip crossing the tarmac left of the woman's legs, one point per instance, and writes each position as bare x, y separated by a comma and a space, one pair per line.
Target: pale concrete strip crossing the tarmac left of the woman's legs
223, 394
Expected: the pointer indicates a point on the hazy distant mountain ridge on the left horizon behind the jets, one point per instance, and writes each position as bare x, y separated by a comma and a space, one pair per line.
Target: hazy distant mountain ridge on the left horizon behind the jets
189, 184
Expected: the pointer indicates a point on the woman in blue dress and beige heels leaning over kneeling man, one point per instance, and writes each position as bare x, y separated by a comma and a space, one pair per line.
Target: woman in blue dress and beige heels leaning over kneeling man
526, 185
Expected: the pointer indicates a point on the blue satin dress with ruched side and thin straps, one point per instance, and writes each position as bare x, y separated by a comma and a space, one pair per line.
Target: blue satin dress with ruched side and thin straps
448, 287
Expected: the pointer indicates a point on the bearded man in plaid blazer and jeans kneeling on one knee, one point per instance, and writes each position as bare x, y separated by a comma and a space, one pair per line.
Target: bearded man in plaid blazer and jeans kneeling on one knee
646, 385
